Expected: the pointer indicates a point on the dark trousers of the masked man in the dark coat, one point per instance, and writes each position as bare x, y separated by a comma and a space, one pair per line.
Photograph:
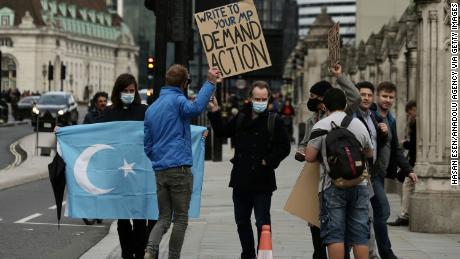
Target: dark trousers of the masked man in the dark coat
244, 202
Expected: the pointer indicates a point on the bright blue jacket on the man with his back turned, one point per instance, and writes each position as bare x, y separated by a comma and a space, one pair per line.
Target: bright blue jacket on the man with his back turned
167, 139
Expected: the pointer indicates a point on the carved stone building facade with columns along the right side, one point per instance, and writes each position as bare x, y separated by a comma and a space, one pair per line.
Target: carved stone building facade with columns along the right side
414, 53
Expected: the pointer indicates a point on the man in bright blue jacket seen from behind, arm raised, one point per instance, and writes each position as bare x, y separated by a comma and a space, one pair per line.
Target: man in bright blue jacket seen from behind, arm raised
168, 144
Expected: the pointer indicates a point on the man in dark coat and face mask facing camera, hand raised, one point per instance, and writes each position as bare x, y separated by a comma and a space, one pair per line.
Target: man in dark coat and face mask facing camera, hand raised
261, 143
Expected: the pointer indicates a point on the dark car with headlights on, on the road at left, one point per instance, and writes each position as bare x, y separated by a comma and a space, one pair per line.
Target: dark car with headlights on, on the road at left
55, 109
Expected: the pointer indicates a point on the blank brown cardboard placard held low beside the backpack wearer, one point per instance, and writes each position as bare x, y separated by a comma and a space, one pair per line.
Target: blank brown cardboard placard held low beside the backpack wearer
303, 202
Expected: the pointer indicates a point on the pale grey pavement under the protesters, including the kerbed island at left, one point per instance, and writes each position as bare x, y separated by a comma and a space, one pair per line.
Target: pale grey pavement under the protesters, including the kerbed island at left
214, 234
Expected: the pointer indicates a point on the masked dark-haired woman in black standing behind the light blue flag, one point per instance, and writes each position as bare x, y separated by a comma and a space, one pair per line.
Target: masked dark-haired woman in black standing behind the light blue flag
126, 106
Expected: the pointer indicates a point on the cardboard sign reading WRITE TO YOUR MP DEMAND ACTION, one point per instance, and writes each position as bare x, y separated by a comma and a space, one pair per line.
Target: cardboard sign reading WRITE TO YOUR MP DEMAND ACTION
232, 38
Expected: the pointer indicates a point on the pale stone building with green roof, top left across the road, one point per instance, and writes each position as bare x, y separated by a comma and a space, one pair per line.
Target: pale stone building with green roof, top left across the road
93, 43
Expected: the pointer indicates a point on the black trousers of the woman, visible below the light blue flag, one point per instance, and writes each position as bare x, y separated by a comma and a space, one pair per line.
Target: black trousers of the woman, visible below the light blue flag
133, 237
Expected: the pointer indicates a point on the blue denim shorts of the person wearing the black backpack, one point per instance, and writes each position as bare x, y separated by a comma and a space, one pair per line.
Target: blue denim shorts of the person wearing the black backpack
344, 215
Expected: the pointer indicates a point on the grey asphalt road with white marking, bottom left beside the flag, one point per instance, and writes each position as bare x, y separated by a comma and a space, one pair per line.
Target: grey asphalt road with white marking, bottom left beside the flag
28, 226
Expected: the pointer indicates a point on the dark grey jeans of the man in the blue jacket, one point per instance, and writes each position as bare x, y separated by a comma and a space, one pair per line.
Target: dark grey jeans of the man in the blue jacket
174, 189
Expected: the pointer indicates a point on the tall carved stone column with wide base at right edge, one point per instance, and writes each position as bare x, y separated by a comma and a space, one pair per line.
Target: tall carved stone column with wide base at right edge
435, 204
